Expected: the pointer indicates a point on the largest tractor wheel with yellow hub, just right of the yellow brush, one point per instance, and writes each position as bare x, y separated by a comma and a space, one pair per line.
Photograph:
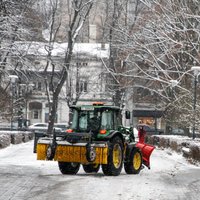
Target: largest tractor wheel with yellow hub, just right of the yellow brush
115, 158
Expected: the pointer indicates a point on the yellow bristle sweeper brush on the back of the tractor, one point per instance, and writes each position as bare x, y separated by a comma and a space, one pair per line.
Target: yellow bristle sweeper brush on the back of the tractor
72, 153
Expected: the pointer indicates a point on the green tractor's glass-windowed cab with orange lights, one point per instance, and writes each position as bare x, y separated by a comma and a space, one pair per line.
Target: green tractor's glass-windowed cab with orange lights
96, 119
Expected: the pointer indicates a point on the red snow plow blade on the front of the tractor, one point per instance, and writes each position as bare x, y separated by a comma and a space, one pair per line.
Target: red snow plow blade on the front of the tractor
146, 150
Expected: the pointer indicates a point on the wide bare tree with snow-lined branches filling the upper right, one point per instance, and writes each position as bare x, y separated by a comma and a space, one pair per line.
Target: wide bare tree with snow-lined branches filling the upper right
161, 46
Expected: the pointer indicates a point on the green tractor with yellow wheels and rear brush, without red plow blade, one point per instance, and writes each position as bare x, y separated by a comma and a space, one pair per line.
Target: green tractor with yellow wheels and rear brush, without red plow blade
95, 139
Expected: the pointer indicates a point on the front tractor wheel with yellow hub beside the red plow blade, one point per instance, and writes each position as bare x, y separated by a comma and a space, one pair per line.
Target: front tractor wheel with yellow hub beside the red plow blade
134, 162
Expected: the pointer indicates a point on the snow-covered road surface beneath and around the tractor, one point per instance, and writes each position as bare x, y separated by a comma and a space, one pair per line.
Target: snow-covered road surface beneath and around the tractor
22, 177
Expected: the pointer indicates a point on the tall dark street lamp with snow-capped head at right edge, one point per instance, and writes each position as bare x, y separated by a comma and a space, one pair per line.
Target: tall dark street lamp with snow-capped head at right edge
196, 70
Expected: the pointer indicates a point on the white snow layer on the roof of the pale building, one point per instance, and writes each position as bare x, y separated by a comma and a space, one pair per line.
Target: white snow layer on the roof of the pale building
59, 49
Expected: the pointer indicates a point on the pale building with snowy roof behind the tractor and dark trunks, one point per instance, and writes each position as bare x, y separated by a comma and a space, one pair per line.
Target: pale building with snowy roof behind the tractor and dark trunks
85, 82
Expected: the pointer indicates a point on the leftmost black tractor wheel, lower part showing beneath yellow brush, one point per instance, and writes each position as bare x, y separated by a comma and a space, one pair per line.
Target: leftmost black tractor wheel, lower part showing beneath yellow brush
68, 167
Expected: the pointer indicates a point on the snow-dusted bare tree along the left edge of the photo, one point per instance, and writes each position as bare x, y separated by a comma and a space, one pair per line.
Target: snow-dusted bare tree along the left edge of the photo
13, 16
